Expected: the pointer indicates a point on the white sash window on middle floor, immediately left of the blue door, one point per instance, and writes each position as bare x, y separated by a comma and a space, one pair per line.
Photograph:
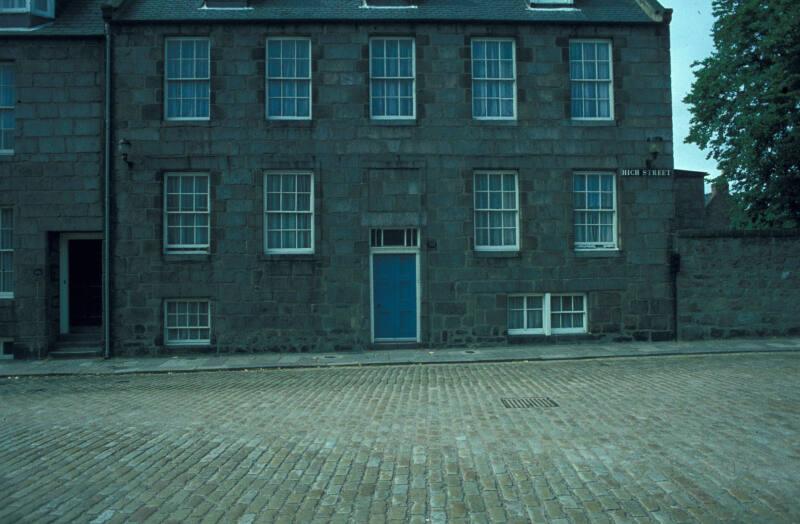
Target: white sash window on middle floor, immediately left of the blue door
289, 212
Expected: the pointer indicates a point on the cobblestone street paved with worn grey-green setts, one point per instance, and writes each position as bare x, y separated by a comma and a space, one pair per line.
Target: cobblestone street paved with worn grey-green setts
671, 439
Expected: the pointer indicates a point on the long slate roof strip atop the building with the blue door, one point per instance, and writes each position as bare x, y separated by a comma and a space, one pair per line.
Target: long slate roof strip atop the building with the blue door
584, 11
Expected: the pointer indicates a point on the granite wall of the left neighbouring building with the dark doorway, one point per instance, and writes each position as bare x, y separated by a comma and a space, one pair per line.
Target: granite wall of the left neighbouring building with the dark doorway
53, 179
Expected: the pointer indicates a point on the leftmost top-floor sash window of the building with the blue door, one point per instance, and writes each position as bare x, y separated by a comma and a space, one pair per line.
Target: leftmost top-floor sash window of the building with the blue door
188, 79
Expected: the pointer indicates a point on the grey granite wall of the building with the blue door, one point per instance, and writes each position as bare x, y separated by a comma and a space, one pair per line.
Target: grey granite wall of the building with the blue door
322, 301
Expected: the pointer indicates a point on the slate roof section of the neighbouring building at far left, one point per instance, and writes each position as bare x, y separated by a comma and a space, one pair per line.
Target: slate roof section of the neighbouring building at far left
73, 18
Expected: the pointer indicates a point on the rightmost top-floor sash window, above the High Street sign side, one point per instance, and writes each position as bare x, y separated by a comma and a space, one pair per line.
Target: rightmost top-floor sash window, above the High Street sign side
590, 72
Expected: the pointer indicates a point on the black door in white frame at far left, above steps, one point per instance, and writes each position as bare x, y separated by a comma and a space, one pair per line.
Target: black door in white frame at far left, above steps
85, 282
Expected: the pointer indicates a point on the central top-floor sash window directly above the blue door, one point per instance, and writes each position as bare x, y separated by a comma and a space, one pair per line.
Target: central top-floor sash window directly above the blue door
392, 78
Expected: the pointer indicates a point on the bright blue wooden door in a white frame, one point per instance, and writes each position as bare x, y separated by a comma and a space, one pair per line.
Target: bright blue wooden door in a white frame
394, 291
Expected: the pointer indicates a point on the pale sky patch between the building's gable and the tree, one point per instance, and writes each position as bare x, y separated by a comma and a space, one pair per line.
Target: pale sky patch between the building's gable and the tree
690, 30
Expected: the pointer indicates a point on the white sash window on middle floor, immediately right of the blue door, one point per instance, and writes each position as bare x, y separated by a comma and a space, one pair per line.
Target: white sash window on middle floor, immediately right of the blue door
496, 211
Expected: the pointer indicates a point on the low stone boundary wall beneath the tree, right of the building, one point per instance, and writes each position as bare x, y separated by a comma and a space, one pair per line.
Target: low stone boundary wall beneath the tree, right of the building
738, 283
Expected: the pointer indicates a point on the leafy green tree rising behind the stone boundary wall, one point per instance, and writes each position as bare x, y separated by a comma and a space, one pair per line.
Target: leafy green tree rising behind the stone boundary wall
745, 105
